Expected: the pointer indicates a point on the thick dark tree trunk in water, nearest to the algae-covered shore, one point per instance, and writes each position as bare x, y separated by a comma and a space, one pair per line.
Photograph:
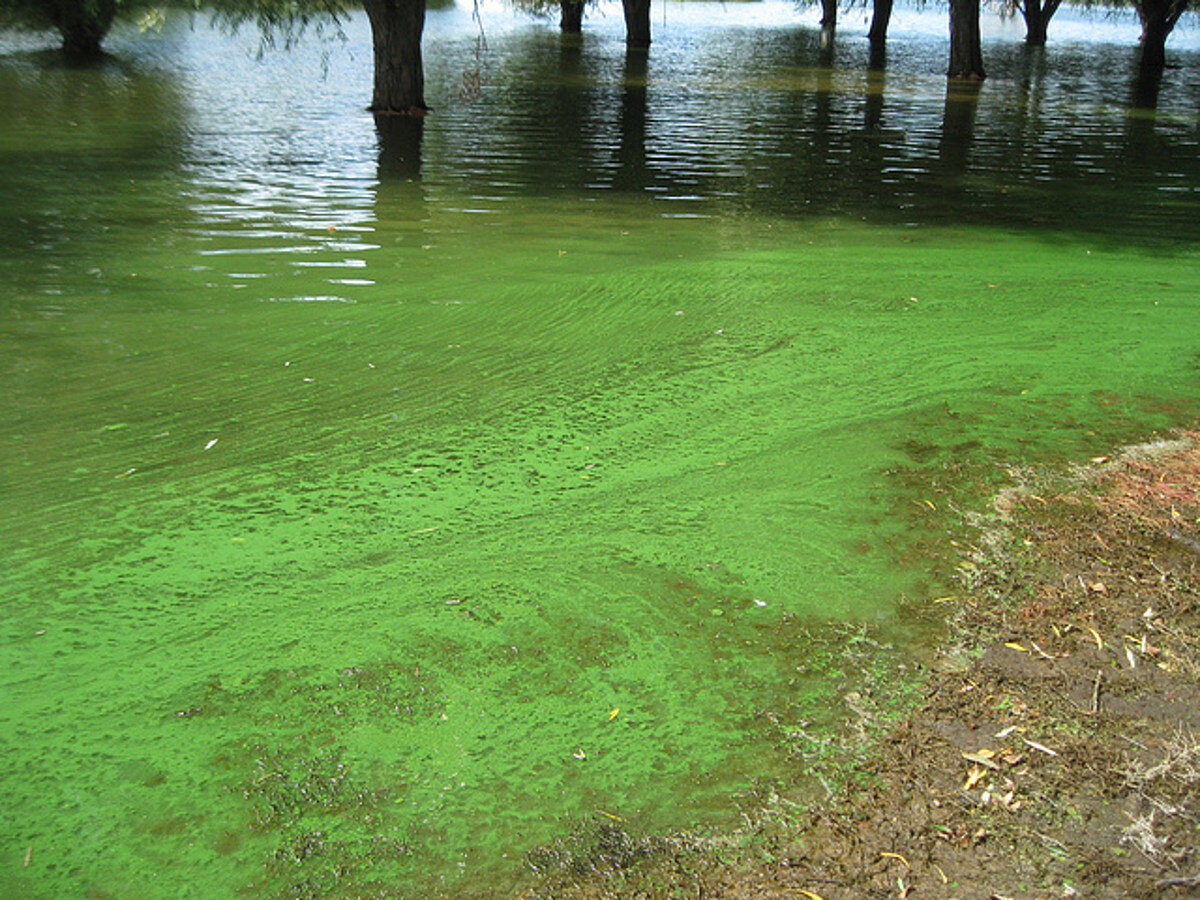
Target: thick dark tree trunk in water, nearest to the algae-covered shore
397, 29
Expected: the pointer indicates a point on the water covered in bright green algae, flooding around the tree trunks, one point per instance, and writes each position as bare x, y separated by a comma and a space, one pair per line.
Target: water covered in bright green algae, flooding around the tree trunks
379, 507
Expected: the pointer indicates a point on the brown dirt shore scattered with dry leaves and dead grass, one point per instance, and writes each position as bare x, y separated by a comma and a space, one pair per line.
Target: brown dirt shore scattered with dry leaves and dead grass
1057, 748
